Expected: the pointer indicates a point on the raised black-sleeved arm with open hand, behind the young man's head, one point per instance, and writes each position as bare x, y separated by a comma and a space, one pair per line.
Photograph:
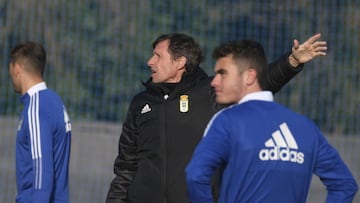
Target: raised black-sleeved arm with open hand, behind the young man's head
284, 69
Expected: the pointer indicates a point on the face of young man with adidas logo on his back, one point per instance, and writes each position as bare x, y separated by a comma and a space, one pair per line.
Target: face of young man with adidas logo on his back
228, 83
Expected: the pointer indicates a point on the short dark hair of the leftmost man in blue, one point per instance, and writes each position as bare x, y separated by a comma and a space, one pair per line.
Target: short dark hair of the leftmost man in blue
30, 53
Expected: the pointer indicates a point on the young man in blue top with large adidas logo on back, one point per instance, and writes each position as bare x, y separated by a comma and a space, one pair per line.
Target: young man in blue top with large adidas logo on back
267, 152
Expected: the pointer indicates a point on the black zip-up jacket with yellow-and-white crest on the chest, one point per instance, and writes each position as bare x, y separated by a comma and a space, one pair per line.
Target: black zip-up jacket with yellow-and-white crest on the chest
162, 128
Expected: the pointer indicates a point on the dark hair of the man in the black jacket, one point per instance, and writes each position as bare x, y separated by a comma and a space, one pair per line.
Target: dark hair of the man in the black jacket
182, 45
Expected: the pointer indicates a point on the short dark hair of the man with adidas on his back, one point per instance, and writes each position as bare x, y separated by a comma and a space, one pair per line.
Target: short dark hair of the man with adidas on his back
249, 51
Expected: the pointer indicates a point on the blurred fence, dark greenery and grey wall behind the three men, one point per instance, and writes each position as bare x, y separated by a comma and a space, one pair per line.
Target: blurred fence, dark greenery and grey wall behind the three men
97, 52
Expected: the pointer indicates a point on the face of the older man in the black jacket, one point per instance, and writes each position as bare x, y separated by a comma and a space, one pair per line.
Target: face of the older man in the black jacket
163, 67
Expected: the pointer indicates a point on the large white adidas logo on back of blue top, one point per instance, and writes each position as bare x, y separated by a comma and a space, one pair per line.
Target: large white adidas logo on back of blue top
282, 146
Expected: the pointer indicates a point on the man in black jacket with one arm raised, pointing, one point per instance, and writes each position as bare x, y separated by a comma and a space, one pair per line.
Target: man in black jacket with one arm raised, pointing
166, 121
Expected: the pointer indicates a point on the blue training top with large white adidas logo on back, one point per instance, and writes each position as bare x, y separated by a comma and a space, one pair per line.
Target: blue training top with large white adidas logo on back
268, 154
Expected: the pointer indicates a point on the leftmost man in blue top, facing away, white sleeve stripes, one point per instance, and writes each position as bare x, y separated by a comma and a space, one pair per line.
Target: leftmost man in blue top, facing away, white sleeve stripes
44, 131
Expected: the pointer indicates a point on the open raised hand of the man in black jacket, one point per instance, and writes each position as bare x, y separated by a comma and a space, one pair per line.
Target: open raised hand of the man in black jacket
307, 51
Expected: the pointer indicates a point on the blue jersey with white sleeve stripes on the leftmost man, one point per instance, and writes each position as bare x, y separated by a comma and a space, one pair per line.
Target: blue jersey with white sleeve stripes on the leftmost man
43, 148
